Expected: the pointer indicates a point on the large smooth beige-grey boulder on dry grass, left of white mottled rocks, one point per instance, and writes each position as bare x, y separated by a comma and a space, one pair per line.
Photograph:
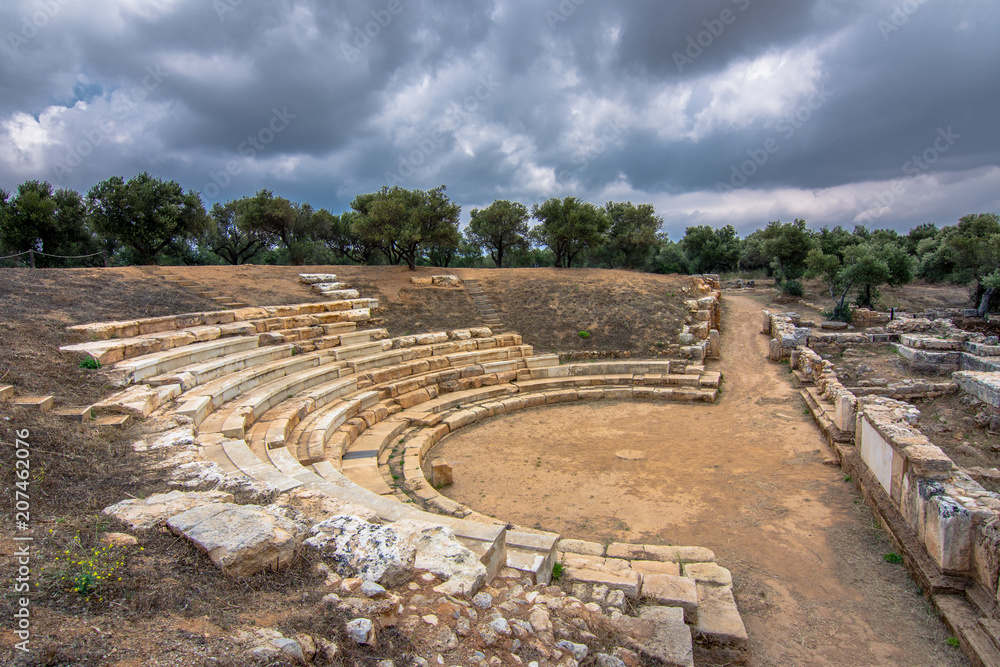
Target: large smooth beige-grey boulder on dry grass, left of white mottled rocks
242, 539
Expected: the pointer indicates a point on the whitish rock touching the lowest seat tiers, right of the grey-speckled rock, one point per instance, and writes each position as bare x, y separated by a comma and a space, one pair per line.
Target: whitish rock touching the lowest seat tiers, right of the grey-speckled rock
437, 551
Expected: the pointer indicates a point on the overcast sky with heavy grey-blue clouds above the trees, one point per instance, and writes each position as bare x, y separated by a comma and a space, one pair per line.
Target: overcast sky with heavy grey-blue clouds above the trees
719, 112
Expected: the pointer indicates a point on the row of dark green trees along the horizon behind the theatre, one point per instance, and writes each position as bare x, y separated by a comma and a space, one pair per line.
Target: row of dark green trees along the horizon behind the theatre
146, 220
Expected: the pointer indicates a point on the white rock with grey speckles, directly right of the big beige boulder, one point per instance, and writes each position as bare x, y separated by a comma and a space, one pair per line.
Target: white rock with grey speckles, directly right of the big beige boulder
357, 548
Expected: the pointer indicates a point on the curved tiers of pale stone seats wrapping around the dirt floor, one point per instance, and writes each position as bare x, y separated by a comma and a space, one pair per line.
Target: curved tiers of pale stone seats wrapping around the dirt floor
298, 396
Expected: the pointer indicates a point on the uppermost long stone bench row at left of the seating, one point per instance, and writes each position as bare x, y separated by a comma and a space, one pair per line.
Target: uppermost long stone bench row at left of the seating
109, 348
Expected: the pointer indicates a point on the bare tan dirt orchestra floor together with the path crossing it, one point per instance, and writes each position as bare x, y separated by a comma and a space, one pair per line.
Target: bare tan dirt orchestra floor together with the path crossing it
745, 477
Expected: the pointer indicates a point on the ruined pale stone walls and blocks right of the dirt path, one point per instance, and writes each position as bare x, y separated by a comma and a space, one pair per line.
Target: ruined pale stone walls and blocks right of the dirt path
954, 519
